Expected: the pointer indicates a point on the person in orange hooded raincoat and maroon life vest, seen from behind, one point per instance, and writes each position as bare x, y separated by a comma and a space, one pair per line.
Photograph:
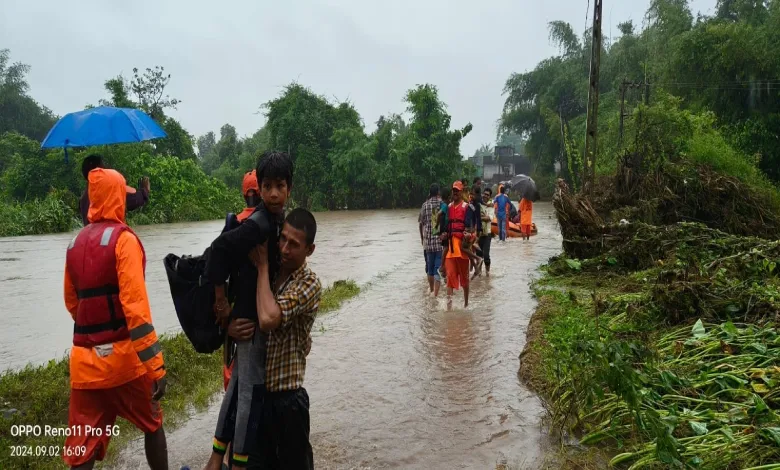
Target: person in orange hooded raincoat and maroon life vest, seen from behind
116, 363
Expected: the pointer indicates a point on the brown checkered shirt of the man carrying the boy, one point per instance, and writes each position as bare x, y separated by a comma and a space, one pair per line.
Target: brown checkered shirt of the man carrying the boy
299, 299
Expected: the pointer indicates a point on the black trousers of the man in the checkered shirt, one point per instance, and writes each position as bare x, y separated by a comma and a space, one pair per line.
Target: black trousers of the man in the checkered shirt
284, 439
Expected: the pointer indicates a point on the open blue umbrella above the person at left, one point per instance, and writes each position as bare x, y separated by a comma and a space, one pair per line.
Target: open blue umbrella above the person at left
103, 125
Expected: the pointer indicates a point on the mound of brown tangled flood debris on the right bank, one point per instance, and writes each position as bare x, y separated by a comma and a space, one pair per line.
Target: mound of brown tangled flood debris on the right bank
620, 206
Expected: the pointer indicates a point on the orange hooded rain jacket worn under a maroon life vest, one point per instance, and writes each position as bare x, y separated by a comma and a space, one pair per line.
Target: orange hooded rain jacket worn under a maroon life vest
120, 363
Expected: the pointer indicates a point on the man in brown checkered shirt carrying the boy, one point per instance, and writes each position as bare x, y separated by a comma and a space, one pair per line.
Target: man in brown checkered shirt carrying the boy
287, 317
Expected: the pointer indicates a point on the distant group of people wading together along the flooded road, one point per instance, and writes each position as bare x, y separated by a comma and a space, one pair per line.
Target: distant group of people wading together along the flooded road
456, 233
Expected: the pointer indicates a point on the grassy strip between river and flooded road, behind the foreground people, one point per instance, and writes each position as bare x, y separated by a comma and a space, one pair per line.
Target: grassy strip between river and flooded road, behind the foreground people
40, 393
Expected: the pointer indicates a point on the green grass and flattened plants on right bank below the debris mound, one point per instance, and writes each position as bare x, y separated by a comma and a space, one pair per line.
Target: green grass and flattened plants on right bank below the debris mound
654, 374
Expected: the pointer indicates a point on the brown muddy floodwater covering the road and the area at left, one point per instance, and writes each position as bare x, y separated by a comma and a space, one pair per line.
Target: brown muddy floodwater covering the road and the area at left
395, 380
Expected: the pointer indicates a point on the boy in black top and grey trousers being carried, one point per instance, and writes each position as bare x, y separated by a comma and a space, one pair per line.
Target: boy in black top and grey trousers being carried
239, 418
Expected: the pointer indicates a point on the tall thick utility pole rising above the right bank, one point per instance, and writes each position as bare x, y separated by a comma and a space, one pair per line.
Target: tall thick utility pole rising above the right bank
591, 136
